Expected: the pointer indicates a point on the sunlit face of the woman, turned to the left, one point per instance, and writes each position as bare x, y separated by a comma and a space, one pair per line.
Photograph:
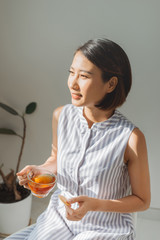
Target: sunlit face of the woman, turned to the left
85, 82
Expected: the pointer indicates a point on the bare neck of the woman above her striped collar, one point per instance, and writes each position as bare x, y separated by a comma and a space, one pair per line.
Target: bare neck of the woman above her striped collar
93, 115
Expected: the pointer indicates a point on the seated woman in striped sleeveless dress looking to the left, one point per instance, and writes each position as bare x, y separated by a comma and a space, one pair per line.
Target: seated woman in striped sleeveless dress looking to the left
99, 156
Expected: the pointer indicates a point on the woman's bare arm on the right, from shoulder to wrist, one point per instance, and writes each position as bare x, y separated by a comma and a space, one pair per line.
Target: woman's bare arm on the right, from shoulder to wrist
136, 158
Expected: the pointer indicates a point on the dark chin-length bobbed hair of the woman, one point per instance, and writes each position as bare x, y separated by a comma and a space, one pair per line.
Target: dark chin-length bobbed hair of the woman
111, 59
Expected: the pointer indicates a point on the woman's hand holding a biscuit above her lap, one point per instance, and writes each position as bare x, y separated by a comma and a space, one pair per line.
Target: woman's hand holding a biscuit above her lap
85, 204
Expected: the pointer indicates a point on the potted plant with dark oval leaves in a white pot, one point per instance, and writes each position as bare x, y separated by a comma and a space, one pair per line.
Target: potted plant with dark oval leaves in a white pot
15, 201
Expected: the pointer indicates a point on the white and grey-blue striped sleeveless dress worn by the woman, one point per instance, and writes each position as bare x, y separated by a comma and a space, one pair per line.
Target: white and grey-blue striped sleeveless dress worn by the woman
90, 162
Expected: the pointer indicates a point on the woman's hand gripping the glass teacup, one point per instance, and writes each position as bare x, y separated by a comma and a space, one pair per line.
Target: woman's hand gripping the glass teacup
22, 175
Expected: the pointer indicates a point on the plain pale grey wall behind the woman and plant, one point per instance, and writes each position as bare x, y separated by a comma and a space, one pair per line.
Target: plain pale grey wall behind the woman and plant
37, 41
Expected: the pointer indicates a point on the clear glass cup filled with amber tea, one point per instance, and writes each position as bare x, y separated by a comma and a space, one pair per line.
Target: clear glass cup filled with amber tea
41, 184
